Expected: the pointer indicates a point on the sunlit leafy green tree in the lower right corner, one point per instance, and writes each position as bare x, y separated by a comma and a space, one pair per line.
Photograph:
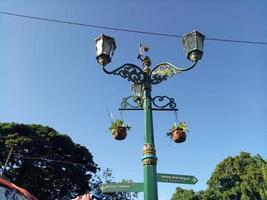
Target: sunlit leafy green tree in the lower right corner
242, 177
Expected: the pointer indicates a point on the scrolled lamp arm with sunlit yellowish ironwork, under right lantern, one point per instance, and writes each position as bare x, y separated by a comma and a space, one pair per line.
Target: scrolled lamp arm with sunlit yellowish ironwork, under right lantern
164, 70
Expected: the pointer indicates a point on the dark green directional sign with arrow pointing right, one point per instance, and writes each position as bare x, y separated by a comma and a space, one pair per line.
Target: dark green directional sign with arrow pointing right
175, 178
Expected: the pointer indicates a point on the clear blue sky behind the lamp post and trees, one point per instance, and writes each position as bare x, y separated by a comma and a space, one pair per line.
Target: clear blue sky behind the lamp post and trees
49, 76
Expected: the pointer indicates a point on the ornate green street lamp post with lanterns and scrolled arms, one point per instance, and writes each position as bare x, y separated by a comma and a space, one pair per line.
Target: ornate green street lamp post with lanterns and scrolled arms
142, 80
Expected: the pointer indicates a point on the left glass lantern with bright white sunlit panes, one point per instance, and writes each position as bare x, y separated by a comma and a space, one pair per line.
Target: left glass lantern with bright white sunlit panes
105, 47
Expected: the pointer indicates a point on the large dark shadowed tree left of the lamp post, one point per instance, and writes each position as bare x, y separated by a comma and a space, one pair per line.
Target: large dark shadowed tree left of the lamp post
48, 164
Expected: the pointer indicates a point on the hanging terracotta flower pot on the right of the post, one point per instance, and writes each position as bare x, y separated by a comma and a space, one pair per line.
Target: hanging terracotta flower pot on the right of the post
178, 132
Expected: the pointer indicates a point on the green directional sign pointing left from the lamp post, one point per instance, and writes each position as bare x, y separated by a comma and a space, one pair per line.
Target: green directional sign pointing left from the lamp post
122, 187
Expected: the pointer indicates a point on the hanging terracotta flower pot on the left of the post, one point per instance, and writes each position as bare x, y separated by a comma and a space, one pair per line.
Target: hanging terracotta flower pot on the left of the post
119, 129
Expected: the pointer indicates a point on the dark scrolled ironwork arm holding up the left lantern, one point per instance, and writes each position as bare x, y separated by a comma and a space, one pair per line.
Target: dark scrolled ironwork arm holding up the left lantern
128, 71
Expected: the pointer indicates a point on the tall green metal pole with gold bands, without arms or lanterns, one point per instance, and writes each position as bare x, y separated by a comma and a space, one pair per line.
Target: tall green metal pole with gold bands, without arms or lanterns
149, 152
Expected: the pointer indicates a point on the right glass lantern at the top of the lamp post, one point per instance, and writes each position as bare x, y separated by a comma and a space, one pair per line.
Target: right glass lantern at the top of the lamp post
193, 44
